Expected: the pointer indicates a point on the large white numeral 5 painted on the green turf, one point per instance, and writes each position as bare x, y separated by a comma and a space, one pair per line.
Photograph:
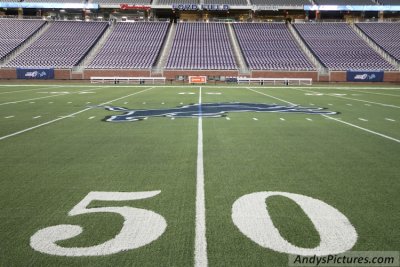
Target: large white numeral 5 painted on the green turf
140, 227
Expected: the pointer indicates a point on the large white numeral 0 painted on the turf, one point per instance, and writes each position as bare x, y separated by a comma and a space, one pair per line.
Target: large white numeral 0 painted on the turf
250, 215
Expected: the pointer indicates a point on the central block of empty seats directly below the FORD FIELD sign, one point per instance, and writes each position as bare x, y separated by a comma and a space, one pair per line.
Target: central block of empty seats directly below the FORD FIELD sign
201, 46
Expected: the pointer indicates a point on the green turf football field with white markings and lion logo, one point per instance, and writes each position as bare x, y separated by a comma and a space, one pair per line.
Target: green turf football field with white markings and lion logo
120, 175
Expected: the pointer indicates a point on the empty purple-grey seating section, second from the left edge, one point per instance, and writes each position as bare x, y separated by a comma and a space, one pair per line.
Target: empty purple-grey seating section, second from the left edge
63, 45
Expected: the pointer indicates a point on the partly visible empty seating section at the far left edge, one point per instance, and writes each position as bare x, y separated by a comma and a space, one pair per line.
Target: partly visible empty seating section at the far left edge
14, 32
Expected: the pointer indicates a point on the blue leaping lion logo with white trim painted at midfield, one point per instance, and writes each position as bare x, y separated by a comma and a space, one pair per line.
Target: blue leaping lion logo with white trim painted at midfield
208, 110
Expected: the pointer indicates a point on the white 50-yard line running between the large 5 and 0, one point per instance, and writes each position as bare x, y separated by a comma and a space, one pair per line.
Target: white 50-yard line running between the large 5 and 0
200, 246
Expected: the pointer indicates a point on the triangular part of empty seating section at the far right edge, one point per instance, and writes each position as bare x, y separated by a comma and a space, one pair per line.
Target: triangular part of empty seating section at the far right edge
386, 35
